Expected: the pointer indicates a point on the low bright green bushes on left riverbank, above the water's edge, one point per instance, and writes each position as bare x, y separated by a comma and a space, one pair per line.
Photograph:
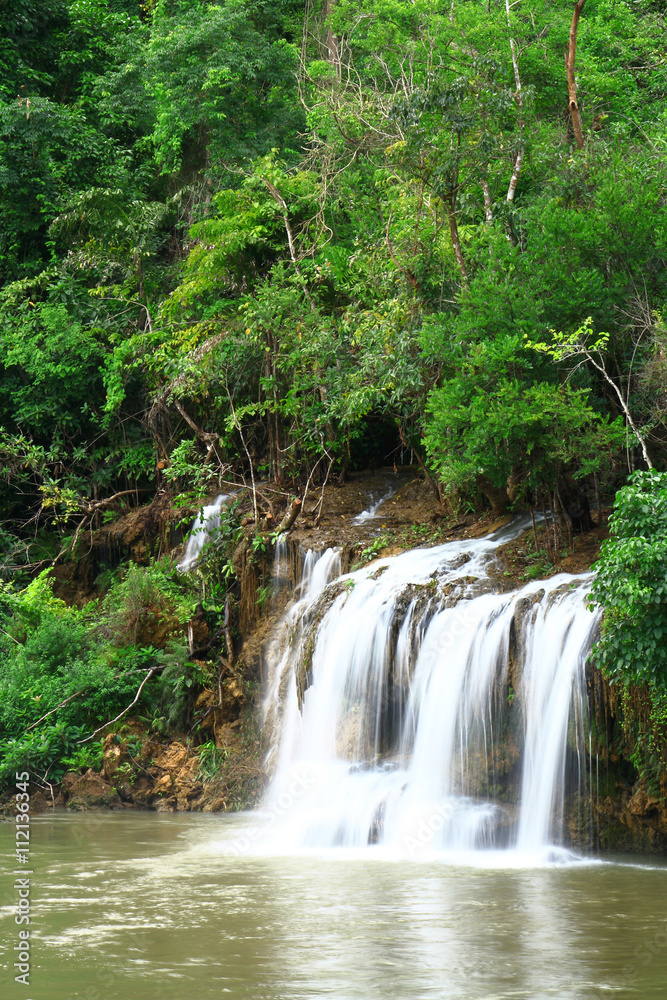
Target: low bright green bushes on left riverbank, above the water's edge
63, 674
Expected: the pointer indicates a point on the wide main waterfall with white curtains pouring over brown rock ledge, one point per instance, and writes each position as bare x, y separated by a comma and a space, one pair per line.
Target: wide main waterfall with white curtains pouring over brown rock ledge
418, 711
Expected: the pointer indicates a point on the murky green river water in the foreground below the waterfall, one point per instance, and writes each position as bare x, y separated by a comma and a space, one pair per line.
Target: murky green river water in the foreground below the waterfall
141, 906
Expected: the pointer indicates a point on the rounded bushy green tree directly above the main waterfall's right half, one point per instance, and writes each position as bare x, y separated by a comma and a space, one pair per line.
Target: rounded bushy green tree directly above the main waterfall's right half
498, 425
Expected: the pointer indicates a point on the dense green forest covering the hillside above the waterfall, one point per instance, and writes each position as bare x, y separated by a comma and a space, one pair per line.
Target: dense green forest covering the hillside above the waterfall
318, 237
